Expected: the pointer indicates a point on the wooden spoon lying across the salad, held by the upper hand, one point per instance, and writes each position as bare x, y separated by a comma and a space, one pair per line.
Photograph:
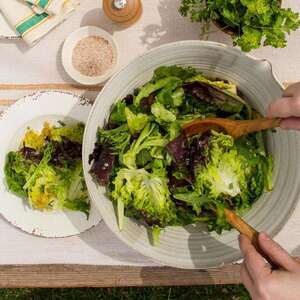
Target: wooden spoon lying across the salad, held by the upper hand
235, 128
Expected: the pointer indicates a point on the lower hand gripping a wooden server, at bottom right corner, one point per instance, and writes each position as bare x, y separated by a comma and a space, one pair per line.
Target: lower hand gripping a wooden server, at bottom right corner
261, 281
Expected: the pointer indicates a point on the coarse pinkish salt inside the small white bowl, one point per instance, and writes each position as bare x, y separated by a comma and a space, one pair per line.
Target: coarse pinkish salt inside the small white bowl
93, 56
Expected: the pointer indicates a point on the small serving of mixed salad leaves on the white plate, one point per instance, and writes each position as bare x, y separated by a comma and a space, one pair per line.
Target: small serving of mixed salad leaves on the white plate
47, 169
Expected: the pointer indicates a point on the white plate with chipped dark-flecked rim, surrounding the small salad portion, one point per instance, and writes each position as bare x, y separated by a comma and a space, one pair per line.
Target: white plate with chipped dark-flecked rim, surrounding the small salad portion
33, 111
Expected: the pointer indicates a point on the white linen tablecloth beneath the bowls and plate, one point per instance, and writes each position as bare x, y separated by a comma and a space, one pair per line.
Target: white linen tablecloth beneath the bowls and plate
159, 24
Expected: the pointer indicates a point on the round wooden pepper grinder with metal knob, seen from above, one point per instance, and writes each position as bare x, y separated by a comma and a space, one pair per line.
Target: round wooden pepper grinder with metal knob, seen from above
125, 12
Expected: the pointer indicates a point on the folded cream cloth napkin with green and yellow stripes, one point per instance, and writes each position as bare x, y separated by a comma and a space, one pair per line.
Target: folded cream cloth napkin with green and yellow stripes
33, 19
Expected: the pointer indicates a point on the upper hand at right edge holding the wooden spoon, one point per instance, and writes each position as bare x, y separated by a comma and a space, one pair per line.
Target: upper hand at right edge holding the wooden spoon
287, 108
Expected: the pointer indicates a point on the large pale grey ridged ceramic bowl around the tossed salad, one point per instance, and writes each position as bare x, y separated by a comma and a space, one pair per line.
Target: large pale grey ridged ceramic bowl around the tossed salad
193, 246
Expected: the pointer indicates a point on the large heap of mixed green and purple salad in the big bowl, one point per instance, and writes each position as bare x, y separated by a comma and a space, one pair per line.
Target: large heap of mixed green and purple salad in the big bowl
158, 176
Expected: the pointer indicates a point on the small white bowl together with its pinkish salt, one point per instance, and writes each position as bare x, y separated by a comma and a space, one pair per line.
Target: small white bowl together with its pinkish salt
90, 55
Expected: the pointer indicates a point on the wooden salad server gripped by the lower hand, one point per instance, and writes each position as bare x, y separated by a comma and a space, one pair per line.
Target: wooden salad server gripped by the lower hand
244, 228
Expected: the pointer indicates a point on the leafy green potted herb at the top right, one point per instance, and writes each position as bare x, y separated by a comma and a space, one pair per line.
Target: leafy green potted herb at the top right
253, 22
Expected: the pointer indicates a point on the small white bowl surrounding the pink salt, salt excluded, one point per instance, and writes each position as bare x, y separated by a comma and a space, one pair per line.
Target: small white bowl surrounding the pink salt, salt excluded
67, 53
